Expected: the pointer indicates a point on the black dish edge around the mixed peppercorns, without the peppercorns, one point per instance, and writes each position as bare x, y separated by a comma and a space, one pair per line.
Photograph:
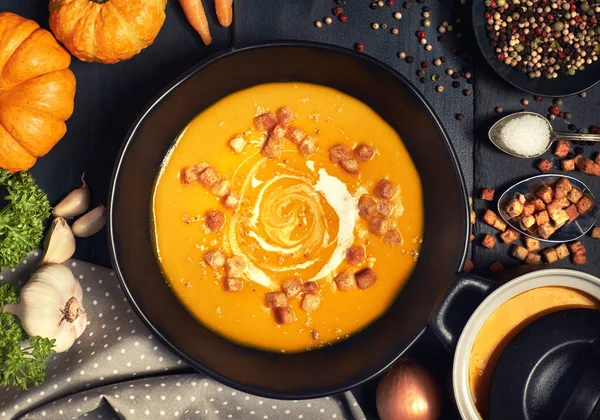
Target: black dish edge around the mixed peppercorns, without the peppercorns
563, 85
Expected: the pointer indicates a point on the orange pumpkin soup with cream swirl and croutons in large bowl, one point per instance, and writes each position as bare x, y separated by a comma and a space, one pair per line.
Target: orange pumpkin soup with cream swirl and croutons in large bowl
287, 216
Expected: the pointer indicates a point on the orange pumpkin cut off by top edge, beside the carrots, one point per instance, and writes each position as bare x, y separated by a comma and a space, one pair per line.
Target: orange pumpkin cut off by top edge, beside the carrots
106, 31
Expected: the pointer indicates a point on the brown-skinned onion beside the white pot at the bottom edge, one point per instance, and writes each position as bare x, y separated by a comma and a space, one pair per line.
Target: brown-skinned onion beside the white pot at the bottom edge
408, 392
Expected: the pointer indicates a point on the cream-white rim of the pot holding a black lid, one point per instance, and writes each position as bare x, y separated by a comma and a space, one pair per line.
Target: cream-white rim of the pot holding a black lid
557, 277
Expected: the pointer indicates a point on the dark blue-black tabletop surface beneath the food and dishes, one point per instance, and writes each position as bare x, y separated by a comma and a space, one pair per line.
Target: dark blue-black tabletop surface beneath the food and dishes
109, 98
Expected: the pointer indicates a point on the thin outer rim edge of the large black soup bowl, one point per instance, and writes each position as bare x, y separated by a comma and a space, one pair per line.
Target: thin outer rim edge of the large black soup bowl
173, 85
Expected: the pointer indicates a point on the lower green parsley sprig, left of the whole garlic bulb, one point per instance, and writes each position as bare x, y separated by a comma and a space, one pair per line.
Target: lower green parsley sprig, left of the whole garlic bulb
22, 363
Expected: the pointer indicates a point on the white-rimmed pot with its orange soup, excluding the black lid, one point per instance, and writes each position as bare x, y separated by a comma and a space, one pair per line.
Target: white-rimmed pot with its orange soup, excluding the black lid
501, 316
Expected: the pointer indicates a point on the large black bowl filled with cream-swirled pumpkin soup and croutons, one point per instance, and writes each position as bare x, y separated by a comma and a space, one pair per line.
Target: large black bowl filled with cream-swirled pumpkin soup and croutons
288, 229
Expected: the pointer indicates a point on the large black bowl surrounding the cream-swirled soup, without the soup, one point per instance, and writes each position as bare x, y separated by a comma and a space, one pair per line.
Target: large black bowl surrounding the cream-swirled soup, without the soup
361, 357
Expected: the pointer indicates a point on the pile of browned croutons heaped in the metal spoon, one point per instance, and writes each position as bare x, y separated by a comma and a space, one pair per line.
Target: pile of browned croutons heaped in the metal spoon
550, 208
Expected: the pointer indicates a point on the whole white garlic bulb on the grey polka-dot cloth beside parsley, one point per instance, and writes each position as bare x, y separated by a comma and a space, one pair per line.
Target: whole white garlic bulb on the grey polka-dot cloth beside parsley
51, 306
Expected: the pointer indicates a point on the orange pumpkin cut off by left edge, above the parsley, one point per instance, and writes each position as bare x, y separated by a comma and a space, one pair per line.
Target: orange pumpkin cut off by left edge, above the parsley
37, 91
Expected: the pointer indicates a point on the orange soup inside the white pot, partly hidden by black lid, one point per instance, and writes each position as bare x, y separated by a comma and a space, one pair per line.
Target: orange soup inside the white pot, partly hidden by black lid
506, 322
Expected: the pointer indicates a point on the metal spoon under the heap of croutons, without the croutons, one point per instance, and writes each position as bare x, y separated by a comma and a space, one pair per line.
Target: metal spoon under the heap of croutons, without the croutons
566, 233
